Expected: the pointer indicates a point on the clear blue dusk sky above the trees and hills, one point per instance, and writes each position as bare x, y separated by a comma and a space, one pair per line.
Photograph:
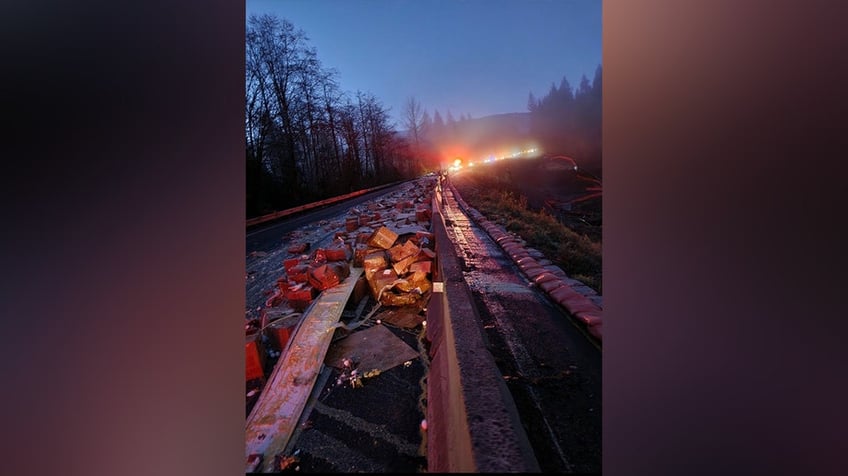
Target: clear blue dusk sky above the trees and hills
477, 57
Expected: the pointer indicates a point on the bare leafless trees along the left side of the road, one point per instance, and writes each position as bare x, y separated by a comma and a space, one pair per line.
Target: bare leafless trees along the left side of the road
305, 138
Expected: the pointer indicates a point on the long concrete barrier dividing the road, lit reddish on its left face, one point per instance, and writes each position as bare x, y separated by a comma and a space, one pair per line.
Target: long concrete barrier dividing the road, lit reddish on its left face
473, 425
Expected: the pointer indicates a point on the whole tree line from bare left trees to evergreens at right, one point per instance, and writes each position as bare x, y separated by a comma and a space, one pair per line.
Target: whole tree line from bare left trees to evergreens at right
306, 139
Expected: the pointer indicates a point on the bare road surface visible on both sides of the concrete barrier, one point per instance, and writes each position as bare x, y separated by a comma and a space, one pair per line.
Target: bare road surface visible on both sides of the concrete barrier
551, 368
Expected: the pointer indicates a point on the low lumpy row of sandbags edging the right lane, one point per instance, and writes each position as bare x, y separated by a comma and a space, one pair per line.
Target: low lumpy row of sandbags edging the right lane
552, 280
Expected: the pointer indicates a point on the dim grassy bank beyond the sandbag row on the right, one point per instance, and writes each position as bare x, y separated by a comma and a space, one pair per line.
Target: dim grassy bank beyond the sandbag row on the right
497, 198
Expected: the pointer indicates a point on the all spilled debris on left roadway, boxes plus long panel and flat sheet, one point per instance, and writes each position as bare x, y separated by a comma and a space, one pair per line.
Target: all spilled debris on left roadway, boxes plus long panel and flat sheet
389, 237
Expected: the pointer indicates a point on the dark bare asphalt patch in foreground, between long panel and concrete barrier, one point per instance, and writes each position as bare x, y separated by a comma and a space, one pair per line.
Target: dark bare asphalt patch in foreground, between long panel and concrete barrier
374, 428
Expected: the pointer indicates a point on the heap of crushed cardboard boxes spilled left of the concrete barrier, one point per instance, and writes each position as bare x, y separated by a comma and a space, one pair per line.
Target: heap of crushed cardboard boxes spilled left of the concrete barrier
389, 238
